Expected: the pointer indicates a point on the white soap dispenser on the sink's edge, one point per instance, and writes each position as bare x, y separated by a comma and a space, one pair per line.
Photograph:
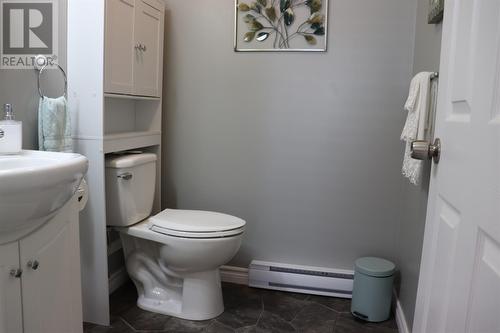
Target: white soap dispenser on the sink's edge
11, 132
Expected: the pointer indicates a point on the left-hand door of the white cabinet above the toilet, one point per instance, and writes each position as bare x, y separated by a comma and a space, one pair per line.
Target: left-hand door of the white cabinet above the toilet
119, 47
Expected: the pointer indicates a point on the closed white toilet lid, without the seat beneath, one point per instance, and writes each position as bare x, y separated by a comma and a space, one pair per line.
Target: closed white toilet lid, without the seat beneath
195, 221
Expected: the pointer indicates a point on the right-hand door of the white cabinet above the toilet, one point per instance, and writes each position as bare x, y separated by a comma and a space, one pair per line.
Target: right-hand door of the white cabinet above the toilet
148, 57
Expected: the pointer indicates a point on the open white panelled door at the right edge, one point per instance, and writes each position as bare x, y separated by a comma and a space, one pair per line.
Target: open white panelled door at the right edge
459, 286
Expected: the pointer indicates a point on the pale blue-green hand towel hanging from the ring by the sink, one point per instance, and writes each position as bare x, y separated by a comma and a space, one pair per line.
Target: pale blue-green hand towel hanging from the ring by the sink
54, 125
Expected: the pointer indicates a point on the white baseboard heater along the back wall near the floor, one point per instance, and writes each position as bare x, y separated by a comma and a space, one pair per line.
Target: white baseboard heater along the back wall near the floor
301, 279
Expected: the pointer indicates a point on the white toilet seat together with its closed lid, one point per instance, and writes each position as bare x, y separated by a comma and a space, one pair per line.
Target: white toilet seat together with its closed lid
195, 224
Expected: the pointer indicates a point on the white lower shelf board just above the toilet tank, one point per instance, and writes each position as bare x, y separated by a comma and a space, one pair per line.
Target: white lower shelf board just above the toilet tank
130, 140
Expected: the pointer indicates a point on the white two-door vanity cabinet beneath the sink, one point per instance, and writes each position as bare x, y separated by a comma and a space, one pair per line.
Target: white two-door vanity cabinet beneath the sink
40, 287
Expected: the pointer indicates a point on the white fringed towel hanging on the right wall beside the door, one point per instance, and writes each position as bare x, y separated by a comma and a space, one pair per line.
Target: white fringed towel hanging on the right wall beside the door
417, 123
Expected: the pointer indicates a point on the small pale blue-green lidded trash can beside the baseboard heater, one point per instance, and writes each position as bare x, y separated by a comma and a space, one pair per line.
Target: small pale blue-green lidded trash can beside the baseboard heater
372, 289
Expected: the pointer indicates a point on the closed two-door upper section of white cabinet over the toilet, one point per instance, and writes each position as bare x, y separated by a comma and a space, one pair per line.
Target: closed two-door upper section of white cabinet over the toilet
134, 47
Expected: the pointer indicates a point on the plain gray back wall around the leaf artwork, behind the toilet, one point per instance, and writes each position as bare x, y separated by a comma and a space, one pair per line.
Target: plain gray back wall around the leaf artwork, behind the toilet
299, 145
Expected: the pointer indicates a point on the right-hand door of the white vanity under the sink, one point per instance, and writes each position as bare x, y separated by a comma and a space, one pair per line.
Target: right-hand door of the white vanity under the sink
51, 283
